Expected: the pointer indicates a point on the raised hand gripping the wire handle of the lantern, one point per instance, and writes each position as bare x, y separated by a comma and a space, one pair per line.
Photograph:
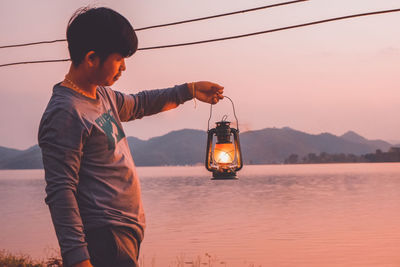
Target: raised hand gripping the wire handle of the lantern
207, 91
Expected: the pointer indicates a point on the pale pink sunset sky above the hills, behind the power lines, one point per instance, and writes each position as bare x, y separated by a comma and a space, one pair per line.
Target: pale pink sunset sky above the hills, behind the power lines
332, 78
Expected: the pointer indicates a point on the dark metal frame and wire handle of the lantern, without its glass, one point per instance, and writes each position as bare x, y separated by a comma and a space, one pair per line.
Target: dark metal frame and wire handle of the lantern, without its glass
224, 134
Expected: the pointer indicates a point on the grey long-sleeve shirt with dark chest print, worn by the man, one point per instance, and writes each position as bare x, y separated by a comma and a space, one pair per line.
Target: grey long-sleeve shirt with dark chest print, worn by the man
89, 171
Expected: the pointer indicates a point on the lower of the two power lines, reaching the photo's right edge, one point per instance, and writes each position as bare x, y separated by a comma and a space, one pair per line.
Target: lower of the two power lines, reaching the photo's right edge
236, 36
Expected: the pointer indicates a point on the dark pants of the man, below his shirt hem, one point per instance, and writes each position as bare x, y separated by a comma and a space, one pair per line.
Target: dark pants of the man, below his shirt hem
113, 246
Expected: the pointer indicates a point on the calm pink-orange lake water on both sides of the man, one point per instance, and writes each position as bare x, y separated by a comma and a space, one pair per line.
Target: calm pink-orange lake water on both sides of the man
283, 215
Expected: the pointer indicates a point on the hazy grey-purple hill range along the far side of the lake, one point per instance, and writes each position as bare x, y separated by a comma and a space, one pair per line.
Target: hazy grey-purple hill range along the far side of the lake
187, 147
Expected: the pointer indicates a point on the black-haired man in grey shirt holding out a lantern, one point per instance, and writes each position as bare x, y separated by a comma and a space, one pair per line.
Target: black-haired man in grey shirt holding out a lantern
93, 191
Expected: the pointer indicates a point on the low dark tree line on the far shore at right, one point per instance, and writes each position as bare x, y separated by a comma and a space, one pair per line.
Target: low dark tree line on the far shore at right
393, 155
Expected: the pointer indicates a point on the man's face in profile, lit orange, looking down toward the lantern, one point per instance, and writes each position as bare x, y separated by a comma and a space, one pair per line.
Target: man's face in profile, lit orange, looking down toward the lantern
111, 69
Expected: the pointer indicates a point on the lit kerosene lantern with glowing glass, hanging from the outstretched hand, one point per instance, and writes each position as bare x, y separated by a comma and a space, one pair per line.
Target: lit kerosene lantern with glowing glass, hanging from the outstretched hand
223, 155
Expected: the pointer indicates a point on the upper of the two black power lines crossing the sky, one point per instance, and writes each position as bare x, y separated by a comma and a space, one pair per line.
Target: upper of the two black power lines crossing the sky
171, 23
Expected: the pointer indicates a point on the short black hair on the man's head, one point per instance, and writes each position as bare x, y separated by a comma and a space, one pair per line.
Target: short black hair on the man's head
101, 30
